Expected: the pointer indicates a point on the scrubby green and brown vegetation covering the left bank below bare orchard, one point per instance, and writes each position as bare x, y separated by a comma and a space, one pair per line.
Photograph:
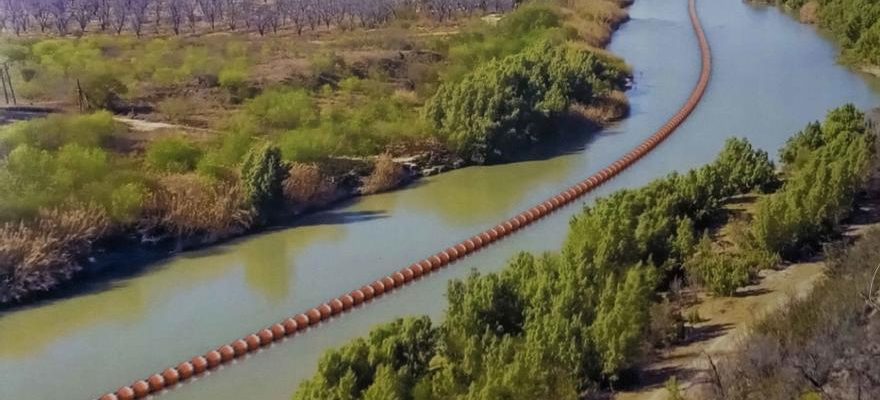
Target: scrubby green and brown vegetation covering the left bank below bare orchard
259, 126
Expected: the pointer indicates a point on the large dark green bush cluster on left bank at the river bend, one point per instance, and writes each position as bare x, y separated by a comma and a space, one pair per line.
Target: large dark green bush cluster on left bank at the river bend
508, 103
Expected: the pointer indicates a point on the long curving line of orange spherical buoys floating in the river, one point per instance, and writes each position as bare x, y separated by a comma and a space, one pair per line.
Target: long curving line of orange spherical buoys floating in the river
251, 343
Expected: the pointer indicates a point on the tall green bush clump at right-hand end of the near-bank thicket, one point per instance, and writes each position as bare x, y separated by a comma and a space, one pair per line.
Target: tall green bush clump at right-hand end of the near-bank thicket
830, 167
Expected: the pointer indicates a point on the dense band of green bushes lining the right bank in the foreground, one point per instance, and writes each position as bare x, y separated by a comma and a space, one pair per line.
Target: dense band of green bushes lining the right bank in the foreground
566, 324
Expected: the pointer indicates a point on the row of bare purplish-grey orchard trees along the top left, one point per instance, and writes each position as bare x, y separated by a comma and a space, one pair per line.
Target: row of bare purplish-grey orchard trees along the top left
116, 16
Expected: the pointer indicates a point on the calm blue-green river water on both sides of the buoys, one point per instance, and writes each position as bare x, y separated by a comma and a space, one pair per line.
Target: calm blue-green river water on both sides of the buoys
772, 76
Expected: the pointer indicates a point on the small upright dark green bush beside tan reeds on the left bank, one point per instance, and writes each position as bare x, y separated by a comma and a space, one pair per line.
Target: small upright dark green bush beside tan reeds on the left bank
262, 174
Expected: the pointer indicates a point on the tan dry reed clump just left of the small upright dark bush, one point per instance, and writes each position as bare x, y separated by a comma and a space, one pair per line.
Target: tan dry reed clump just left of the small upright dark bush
187, 205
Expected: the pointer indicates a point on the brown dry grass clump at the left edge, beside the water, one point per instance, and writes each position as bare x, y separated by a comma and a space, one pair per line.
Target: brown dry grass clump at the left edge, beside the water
39, 255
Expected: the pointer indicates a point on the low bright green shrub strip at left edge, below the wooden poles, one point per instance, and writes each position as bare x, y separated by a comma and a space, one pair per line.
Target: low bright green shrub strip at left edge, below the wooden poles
55, 131
